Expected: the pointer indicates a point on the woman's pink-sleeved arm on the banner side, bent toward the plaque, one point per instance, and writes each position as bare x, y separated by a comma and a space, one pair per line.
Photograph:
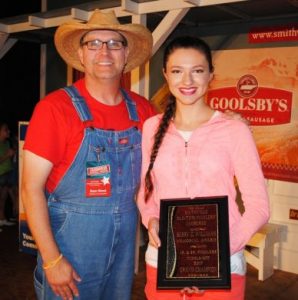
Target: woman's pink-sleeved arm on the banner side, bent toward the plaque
252, 186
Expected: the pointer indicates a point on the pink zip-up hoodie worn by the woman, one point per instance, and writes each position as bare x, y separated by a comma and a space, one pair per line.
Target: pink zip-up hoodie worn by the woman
205, 166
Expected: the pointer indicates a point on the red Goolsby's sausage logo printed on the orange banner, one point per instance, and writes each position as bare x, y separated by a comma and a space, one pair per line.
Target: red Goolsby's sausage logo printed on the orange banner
260, 105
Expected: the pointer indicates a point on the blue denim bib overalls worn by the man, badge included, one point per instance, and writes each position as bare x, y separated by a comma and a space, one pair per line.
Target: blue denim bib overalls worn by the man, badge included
97, 233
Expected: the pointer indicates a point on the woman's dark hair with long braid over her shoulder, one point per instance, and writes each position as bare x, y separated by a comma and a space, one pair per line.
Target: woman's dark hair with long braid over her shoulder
186, 42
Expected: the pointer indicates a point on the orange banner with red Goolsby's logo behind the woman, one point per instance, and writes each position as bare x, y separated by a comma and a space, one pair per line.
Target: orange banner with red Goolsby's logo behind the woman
262, 85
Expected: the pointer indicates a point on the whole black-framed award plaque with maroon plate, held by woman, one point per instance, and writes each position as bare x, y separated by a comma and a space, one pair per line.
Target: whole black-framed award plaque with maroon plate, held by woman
194, 247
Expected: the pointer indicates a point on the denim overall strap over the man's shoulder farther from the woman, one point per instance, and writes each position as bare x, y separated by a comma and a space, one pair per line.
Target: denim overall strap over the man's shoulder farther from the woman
79, 103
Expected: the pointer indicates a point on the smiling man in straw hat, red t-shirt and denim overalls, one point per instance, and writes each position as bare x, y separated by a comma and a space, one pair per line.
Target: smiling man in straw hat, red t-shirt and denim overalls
81, 169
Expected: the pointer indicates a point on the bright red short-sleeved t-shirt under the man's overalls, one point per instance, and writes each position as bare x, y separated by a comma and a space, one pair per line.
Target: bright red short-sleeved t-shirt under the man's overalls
55, 130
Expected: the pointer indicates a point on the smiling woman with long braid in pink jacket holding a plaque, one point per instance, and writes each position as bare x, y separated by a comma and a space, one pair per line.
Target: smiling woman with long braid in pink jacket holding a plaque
193, 151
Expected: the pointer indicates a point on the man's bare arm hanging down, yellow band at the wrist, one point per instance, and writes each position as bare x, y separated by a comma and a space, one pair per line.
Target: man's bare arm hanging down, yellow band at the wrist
62, 276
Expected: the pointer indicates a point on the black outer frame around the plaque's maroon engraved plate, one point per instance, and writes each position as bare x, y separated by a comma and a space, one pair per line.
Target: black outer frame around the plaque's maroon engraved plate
165, 253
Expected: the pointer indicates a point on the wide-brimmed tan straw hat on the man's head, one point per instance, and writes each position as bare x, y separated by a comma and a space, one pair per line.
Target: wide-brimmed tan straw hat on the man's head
139, 38
